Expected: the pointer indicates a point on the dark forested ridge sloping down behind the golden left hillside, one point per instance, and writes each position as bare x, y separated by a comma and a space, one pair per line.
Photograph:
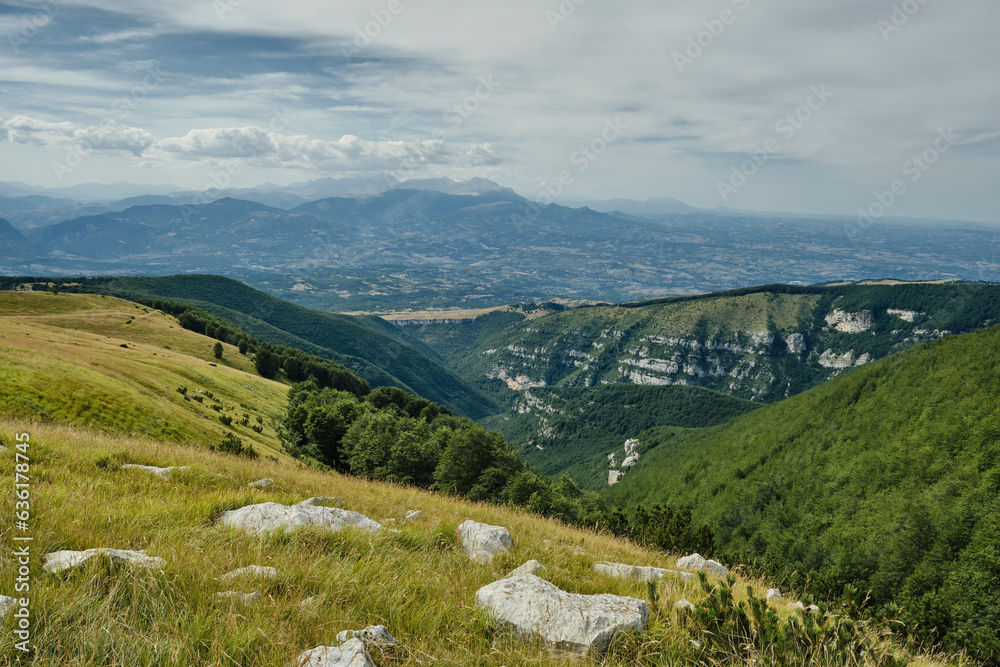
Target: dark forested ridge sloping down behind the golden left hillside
354, 342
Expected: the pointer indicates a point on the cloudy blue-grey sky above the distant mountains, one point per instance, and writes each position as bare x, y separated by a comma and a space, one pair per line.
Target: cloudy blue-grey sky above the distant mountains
764, 105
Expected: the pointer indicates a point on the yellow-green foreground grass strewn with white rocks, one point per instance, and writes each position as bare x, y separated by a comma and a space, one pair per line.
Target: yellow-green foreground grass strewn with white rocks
418, 583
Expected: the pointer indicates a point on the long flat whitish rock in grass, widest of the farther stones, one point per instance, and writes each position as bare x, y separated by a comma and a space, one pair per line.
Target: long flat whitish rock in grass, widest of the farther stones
265, 517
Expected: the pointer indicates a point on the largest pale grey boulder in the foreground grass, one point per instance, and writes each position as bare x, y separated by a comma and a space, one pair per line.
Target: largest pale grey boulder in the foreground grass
565, 621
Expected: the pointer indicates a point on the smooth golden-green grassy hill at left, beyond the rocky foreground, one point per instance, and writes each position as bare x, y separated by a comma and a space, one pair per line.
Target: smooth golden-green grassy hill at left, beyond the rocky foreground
106, 364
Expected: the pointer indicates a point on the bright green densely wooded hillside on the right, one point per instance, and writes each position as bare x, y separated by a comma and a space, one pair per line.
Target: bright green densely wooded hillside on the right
887, 478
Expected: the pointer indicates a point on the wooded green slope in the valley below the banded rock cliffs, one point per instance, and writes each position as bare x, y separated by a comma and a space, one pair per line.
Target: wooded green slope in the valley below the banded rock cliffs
574, 430
